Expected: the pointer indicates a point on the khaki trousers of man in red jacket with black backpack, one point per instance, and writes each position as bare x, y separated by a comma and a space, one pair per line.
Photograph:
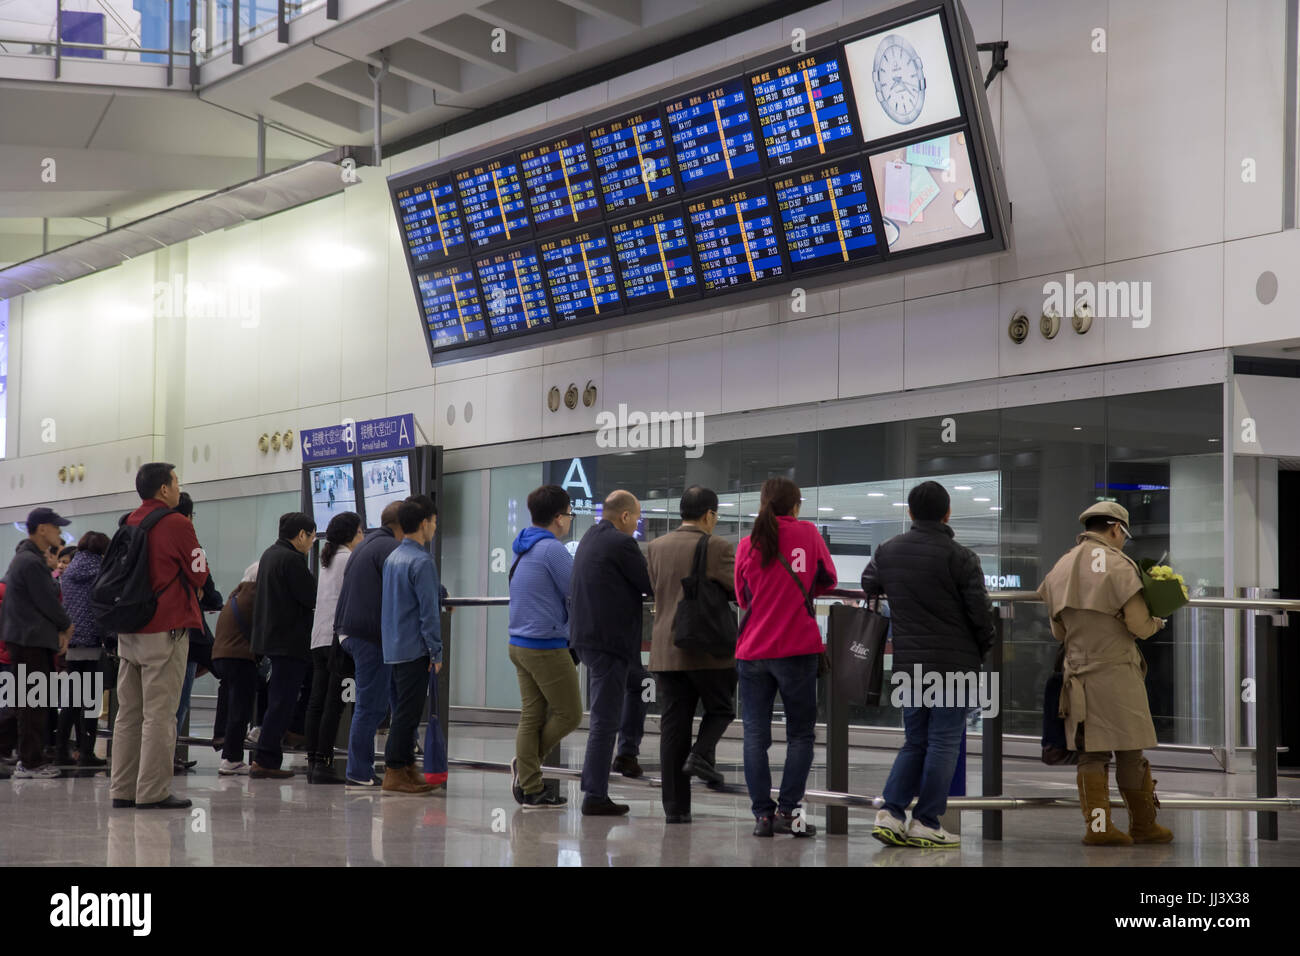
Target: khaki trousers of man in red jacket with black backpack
149, 694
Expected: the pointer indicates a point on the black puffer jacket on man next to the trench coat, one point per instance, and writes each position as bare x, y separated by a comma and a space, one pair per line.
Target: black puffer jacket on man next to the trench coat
938, 604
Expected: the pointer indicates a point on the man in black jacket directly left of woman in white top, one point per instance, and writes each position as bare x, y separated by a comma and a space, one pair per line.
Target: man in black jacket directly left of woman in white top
283, 631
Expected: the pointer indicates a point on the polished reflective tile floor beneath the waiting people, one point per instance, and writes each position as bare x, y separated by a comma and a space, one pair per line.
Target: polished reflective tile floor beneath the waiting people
237, 821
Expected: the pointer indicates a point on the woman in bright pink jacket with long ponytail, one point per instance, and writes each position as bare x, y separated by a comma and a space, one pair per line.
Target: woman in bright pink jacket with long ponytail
781, 568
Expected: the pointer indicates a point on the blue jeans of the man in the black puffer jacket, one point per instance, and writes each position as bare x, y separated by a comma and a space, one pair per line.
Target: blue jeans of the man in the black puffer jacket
925, 767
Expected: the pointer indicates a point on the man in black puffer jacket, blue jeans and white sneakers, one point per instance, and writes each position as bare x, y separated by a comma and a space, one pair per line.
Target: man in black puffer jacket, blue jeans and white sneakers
943, 628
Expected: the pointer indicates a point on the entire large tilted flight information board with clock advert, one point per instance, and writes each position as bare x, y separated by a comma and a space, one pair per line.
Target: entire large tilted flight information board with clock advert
869, 153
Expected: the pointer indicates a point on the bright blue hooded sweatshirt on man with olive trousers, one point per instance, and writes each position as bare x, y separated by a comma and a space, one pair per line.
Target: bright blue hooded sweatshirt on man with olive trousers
539, 591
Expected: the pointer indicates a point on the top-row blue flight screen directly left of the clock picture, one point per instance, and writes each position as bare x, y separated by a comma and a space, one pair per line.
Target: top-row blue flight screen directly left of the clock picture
804, 110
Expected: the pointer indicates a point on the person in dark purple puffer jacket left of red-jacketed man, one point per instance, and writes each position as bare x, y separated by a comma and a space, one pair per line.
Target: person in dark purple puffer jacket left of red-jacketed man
86, 648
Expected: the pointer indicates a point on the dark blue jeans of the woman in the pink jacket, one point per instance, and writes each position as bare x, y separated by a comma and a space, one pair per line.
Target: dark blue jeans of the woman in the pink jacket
760, 681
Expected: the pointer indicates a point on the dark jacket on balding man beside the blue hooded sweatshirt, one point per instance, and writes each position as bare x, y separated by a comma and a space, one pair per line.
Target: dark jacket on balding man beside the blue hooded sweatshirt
610, 578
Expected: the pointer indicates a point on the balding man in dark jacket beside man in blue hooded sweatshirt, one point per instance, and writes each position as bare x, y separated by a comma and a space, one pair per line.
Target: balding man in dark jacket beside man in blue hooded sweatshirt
610, 582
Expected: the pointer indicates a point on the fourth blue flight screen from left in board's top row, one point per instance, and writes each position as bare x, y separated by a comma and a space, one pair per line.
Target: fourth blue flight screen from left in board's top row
632, 162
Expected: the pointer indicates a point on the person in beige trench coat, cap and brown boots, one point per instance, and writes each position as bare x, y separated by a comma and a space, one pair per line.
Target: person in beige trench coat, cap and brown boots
1094, 598
